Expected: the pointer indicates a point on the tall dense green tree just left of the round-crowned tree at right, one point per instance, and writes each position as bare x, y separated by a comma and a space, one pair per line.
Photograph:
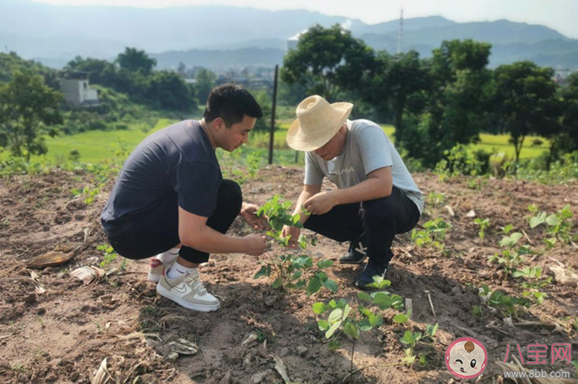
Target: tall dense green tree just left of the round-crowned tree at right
457, 101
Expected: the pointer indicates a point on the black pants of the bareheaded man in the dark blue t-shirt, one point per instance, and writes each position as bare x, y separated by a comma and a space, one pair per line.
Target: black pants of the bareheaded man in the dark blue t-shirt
158, 230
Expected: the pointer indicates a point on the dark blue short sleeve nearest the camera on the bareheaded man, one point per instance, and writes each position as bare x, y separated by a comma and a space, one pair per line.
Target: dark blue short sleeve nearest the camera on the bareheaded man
197, 185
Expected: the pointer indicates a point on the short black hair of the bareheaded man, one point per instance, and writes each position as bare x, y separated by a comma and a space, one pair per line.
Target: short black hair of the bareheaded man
230, 102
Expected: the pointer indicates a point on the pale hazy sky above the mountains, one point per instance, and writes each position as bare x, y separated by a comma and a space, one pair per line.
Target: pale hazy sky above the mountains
561, 15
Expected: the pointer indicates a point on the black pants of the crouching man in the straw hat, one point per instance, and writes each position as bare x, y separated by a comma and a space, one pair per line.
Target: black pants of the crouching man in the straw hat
377, 221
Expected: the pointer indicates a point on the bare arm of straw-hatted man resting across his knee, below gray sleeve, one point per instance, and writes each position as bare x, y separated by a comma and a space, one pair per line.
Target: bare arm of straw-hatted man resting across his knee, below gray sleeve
378, 184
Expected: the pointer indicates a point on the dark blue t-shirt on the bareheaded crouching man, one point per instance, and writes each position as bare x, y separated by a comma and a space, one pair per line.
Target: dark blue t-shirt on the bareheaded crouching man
175, 162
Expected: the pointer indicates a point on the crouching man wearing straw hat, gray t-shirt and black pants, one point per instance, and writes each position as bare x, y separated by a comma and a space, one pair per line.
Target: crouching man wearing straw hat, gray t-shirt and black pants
376, 197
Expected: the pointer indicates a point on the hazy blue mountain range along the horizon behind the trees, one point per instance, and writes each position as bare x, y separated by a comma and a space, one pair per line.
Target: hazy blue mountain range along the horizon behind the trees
222, 37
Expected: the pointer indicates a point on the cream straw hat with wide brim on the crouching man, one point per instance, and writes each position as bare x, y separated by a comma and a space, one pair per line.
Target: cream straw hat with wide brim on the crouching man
317, 122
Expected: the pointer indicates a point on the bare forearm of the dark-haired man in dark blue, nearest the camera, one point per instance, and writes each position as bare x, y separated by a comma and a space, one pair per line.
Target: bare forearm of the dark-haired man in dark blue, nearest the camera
194, 233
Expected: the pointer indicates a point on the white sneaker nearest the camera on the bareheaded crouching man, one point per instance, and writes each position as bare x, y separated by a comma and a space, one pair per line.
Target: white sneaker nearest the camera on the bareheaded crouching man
187, 291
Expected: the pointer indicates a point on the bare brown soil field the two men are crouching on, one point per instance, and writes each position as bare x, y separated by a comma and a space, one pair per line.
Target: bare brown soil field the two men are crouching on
56, 329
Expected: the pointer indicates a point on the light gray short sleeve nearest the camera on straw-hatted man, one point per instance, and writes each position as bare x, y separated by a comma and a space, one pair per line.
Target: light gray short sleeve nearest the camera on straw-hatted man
374, 148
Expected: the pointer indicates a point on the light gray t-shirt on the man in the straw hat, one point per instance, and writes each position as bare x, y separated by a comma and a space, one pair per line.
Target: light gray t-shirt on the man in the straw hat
367, 148
